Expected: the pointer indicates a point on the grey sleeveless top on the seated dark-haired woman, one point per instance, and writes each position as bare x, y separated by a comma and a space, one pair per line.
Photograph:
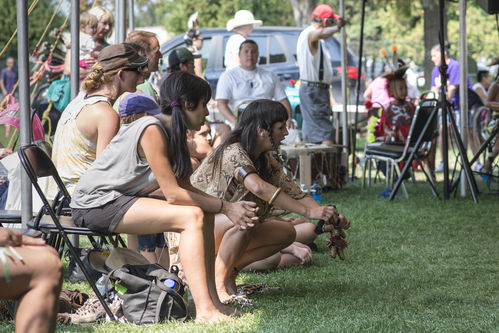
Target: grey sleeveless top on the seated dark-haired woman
118, 170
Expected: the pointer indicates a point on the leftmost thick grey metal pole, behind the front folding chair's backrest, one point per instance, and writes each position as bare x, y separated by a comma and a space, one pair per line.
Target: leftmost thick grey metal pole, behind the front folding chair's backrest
24, 107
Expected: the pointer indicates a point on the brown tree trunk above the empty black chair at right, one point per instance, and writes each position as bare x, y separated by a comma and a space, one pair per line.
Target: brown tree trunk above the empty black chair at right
431, 31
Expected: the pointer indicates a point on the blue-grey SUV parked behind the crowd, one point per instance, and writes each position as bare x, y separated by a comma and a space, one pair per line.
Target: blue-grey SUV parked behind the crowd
277, 48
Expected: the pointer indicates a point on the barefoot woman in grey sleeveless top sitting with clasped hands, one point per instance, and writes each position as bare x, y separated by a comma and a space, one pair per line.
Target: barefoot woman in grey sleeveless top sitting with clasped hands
140, 183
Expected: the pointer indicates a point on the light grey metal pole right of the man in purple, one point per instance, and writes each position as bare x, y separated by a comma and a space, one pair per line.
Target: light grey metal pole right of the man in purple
463, 85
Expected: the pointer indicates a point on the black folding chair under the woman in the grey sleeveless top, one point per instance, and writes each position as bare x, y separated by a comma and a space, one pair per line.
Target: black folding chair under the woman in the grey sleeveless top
52, 219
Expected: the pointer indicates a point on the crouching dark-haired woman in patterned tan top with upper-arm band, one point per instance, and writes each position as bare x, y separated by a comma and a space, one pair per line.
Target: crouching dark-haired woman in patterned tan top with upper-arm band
242, 168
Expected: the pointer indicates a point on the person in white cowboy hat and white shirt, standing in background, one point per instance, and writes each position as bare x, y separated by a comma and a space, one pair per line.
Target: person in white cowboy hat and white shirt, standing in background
242, 24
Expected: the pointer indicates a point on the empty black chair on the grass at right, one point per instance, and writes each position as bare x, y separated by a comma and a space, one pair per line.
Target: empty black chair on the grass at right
393, 153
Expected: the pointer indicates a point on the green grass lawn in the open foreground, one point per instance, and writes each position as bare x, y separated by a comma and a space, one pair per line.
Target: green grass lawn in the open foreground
419, 265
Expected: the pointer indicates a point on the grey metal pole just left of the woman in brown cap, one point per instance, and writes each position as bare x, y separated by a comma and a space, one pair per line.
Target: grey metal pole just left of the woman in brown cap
75, 49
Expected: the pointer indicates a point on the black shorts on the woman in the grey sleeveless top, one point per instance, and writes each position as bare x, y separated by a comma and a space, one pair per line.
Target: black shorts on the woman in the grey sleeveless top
103, 219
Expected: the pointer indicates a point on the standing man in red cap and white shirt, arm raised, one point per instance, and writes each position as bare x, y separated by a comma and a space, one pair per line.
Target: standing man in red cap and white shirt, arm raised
316, 74
